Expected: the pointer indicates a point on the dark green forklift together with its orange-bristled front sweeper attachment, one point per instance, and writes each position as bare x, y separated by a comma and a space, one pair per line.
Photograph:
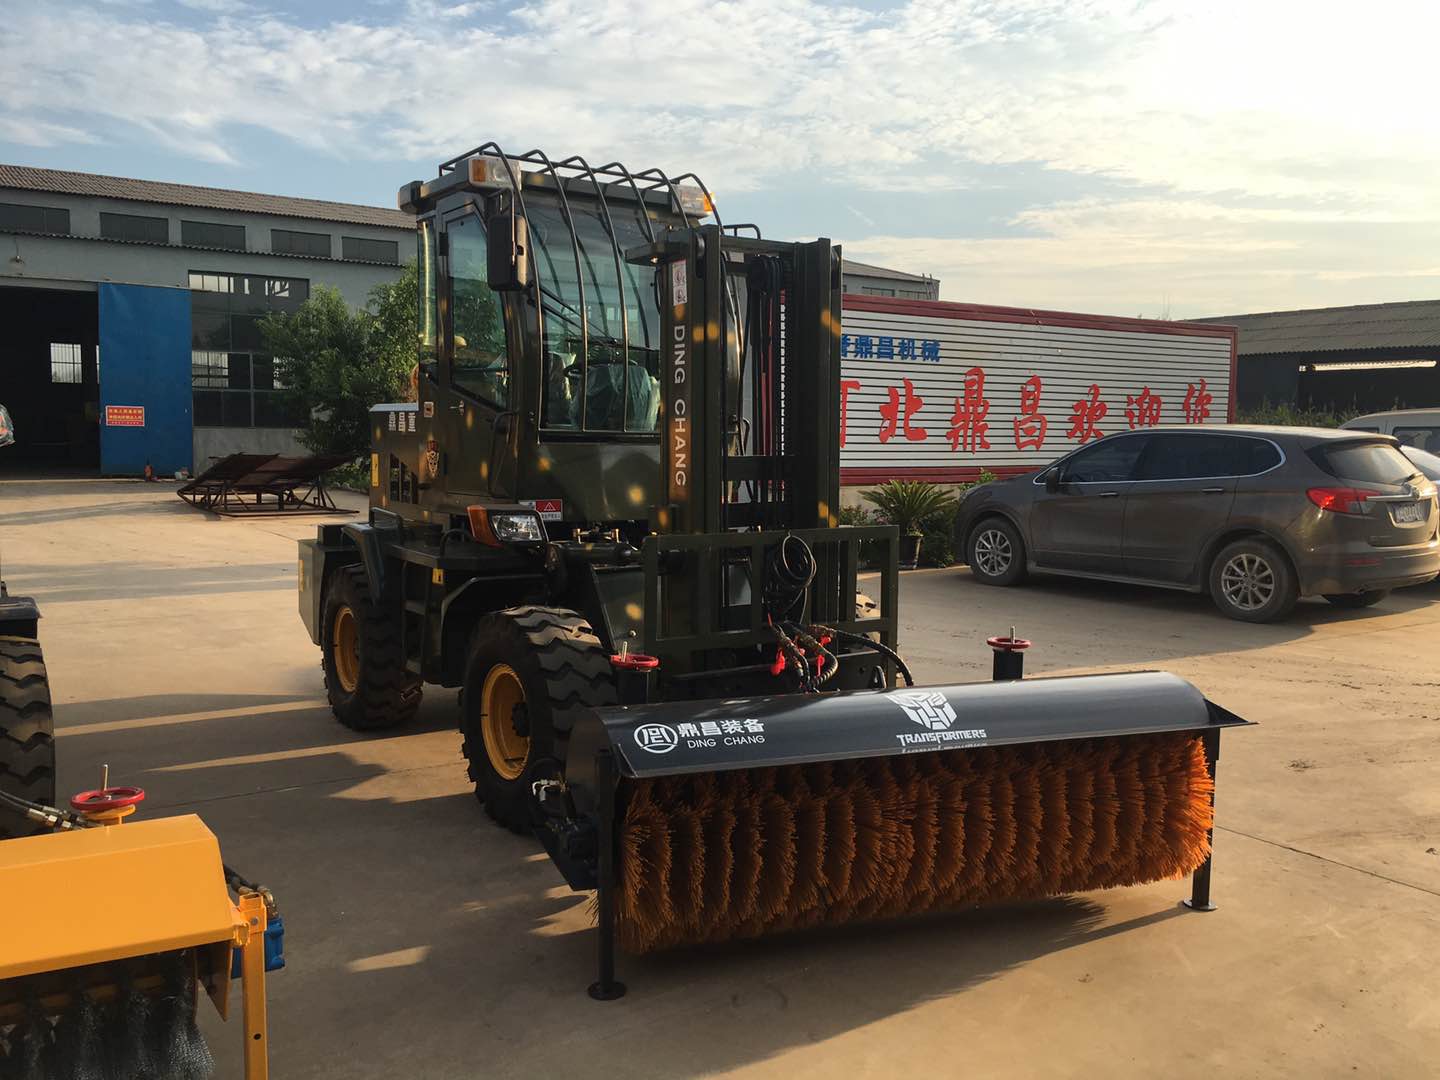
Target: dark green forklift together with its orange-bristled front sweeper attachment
611, 521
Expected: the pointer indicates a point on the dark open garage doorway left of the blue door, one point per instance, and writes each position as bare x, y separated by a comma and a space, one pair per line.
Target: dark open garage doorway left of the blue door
48, 379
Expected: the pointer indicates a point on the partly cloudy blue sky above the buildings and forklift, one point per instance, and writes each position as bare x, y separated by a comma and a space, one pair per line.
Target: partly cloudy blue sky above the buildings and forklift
1118, 156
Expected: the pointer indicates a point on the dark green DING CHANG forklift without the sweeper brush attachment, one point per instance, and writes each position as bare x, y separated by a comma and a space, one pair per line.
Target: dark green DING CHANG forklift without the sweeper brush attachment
620, 480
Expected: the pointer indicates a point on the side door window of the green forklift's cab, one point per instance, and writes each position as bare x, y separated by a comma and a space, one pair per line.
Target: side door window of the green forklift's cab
480, 365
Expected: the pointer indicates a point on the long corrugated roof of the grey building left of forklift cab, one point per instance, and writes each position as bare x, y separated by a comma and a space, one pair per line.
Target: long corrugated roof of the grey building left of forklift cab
61, 182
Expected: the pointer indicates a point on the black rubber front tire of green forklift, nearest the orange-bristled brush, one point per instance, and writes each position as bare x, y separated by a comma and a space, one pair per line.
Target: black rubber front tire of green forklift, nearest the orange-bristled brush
562, 669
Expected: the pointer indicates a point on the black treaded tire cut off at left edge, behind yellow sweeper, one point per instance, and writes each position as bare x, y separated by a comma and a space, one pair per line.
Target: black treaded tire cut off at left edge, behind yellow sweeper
27, 732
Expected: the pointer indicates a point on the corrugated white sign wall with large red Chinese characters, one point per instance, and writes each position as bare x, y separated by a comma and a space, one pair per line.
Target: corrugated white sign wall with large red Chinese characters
938, 391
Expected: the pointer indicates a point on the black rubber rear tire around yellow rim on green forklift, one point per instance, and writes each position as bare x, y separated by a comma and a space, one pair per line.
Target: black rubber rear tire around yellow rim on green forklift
387, 695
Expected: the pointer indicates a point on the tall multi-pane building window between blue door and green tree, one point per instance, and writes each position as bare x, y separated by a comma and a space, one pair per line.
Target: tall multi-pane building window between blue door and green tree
234, 381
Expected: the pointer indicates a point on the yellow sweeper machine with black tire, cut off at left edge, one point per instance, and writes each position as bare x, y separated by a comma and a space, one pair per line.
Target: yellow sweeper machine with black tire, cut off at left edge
110, 930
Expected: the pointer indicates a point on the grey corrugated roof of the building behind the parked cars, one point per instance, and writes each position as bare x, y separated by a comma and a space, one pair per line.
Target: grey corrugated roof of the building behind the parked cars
1412, 325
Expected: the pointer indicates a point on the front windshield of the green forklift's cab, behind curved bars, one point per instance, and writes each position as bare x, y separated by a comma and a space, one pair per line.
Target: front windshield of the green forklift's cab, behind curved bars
603, 349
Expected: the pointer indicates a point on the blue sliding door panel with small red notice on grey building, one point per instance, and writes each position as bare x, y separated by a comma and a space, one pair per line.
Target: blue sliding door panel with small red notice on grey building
145, 359
